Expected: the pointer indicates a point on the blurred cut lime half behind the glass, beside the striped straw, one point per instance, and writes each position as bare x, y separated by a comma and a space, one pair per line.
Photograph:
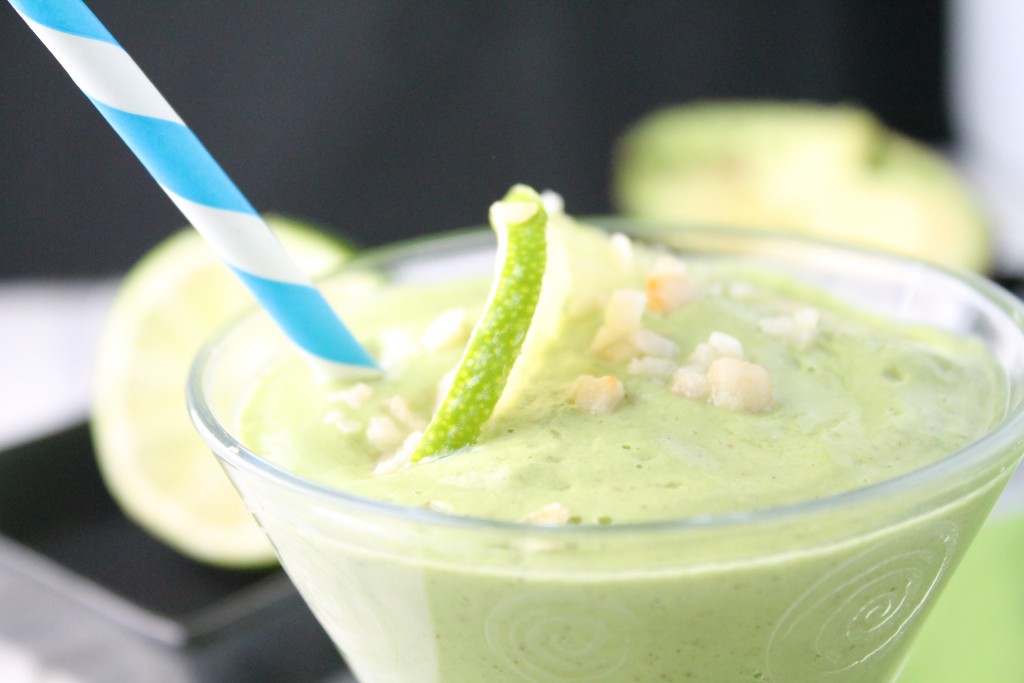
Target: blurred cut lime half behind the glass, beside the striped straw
156, 467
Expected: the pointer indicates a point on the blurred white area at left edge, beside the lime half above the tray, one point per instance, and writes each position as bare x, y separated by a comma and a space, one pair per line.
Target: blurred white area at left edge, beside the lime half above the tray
49, 333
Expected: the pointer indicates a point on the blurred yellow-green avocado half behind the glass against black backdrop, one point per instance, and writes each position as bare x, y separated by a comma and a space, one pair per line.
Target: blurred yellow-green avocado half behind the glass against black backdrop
835, 172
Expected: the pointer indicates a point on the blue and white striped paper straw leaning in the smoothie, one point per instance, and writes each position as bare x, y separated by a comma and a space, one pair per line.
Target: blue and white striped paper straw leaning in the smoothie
194, 181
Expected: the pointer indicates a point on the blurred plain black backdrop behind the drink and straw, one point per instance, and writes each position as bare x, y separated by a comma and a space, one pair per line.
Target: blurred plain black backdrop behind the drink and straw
390, 119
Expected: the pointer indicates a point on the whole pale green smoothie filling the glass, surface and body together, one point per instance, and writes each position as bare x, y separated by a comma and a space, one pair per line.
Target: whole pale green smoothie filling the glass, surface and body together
684, 482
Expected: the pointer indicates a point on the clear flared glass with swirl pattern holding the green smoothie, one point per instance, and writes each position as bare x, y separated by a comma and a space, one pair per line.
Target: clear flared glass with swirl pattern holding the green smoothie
825, 590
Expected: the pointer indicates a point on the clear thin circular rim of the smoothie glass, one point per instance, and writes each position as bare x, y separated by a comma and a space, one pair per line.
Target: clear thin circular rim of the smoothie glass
991, 447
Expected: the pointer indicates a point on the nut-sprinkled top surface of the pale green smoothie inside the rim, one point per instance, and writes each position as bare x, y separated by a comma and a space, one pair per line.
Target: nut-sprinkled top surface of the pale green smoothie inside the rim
855, 399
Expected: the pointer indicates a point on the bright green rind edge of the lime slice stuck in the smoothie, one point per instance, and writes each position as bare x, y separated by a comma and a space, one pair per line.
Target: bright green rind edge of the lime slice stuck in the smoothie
520, 222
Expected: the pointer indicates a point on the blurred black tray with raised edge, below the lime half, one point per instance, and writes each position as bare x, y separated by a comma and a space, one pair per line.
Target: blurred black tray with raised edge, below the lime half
89, 592
